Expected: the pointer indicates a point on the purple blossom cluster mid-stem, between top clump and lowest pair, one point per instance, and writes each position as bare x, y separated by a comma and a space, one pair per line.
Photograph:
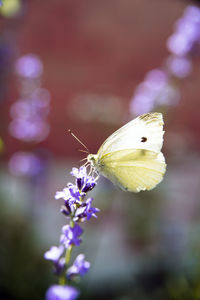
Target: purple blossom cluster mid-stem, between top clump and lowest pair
71, 235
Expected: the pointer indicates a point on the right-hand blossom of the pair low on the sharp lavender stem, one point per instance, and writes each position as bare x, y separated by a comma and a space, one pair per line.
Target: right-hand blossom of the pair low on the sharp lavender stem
79, 267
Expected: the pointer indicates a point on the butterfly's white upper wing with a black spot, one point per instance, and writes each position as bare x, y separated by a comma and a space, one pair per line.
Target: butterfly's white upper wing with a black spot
144, 132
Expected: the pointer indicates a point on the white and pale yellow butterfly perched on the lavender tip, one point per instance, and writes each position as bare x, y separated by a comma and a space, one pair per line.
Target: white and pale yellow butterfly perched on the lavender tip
131, 157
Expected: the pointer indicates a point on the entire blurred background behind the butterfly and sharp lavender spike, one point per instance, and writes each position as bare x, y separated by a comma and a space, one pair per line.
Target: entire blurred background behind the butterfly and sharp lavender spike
92, 66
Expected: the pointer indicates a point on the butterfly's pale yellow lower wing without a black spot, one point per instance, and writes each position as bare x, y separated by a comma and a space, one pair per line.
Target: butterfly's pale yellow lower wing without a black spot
133, 170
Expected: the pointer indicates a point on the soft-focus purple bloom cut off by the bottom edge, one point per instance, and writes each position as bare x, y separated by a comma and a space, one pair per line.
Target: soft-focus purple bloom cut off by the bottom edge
61, 292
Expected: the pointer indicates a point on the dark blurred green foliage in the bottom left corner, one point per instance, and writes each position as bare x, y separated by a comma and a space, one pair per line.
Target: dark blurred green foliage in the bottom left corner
23, 272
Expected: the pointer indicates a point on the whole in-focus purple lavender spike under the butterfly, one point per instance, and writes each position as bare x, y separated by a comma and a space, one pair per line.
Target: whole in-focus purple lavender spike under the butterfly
77, 208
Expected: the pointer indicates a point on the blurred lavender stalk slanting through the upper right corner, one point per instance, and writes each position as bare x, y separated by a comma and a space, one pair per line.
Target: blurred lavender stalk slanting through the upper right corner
158, 87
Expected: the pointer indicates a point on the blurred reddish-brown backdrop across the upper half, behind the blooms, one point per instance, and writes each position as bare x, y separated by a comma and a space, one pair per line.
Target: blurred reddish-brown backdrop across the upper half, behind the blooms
103, 47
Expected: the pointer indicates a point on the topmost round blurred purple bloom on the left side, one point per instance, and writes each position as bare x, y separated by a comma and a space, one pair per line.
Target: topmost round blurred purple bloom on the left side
29, 66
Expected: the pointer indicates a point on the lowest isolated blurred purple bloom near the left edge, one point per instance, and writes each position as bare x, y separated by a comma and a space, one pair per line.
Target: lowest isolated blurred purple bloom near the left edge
25, 164
